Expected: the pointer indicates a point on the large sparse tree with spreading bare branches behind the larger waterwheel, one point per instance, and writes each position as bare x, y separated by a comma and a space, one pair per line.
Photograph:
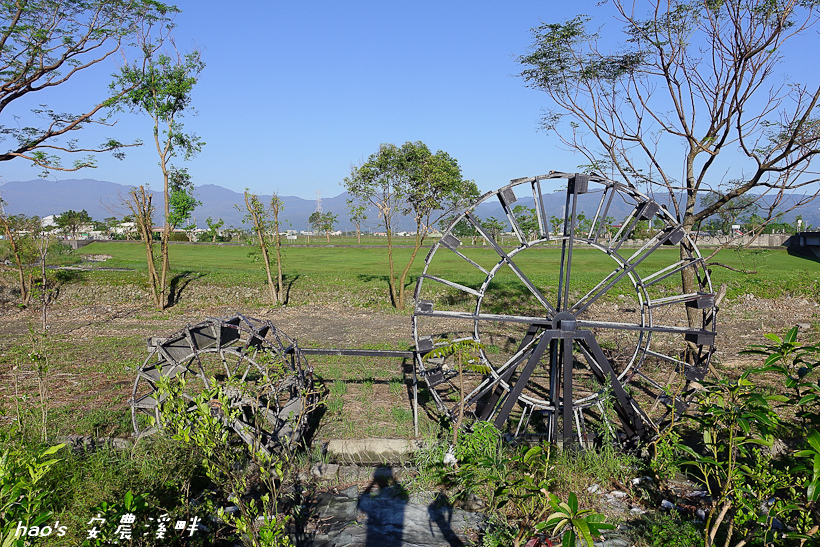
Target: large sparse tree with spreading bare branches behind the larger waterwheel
694, 76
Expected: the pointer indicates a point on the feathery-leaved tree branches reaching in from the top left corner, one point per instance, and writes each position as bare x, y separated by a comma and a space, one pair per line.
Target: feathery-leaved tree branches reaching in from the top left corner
47, 43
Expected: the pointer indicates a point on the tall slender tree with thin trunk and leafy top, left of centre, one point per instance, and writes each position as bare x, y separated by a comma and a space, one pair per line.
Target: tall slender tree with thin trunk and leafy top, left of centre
161, 88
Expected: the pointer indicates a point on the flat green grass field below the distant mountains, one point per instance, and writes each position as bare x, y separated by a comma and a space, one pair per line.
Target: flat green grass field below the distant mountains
776, 272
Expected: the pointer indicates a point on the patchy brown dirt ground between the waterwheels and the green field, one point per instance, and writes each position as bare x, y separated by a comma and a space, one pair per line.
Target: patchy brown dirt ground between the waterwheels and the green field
96, 338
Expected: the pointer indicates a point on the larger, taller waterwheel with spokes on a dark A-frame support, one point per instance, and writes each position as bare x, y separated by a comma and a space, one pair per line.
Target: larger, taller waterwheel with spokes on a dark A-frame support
574, 352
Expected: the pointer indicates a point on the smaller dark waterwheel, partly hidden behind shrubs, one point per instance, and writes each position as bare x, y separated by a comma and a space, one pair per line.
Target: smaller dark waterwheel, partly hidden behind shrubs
265, 374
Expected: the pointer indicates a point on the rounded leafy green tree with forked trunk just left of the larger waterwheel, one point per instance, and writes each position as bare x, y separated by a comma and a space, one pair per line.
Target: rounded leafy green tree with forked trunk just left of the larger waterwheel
409, 180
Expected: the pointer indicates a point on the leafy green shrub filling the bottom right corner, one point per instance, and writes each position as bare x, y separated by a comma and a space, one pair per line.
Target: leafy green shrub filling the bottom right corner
753, 487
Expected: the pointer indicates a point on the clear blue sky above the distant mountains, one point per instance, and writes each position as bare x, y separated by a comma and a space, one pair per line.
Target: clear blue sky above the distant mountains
294, 93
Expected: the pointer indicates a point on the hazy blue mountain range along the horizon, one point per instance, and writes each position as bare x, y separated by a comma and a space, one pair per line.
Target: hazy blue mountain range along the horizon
105, 199
